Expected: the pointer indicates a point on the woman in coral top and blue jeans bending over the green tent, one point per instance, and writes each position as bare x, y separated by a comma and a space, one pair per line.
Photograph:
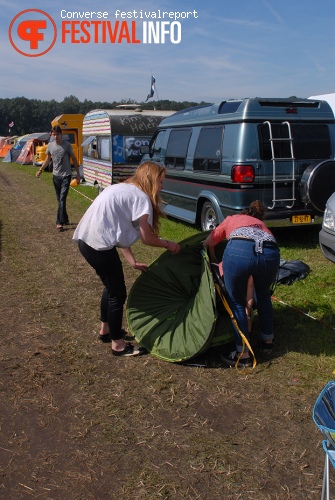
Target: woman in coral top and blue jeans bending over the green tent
251, 251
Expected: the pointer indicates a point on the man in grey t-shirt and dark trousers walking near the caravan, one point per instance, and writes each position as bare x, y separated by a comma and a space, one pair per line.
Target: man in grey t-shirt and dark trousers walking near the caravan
60, 152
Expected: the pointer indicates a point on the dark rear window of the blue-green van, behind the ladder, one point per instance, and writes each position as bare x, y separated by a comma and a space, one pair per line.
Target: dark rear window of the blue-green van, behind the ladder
310, 141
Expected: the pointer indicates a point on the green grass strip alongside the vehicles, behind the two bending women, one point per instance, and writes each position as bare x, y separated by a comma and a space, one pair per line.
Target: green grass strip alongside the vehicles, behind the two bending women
314, 296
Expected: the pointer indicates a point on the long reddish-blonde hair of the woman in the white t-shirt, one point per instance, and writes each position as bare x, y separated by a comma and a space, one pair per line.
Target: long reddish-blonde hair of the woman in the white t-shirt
147, 178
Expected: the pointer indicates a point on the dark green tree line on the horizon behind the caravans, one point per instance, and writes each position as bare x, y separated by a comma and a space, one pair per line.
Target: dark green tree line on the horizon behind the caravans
19, 115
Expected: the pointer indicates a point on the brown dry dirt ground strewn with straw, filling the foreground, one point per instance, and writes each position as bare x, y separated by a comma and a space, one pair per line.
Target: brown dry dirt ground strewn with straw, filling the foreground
76, 423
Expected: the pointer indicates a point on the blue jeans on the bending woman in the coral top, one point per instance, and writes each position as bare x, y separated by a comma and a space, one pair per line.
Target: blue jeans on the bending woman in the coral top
239, 262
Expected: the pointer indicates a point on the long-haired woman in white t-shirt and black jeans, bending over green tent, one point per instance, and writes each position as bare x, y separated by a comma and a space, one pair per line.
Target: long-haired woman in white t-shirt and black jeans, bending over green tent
118, 217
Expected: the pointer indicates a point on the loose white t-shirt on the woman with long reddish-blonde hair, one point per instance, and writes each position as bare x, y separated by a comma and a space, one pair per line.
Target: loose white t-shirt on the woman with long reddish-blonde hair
112, 219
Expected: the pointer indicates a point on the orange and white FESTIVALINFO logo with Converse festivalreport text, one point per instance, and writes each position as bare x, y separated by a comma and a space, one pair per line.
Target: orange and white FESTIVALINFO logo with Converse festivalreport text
33, 32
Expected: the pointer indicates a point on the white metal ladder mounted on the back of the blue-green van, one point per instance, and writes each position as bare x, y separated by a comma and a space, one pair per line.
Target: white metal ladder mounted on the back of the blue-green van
276, 178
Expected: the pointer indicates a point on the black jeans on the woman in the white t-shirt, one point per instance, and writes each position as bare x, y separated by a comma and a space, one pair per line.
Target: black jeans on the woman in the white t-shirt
108, 267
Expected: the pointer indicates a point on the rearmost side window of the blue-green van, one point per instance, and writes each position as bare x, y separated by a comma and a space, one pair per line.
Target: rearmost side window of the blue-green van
207, 155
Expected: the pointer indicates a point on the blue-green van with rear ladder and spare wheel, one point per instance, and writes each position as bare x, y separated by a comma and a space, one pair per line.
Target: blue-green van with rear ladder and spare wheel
221, 157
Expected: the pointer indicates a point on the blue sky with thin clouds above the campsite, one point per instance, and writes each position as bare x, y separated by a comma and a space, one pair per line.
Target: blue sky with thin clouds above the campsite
232, 49
